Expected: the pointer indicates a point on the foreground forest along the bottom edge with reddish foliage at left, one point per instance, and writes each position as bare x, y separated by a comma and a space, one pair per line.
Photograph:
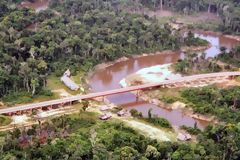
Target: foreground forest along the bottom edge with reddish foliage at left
81, 136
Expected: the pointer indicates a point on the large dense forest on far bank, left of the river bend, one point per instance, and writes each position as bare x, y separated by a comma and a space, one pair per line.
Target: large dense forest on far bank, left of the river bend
85, 33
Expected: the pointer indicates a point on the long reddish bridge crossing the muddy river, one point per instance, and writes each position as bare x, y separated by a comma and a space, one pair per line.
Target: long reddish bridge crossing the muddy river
211, 77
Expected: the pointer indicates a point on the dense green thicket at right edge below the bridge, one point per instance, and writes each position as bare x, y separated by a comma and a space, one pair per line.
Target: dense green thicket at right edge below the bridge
223, 103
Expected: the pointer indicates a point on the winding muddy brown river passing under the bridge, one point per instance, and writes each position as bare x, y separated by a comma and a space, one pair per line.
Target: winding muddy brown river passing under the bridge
110, 77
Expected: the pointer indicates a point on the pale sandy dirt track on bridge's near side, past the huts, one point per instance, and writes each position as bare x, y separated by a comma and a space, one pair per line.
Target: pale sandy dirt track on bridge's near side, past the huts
26, 122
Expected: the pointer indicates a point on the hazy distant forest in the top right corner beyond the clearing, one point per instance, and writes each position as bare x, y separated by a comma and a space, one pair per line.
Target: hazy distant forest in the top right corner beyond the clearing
228, 10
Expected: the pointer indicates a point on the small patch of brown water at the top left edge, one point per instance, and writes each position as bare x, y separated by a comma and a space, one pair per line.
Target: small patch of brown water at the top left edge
38, 5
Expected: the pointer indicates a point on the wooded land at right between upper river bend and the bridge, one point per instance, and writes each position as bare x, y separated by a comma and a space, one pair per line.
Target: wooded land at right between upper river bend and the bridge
195, 63
